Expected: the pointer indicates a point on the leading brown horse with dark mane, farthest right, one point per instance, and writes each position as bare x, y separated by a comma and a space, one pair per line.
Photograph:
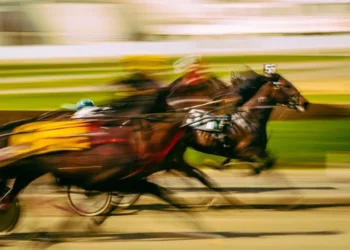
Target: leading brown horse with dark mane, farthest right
244, 136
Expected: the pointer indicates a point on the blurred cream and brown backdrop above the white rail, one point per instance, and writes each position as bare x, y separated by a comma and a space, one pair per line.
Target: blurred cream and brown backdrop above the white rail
38, 22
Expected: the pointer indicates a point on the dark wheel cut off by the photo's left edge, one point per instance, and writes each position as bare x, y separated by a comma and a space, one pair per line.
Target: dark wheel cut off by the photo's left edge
9, 217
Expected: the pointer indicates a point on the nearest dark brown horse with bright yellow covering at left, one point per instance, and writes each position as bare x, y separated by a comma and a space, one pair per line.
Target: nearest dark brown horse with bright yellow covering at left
103, 155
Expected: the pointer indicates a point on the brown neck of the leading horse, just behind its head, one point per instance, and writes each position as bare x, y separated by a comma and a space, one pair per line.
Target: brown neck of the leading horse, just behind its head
259, 116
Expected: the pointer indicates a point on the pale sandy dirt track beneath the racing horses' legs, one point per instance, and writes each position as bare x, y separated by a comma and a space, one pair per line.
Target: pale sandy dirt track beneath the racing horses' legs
46, 223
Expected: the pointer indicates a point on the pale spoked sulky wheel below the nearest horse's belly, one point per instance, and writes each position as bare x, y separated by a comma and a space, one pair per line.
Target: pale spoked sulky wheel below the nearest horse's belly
88, 203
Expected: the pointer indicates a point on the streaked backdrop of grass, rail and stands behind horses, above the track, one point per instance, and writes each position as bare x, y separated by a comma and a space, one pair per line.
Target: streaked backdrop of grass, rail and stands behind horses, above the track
56, 52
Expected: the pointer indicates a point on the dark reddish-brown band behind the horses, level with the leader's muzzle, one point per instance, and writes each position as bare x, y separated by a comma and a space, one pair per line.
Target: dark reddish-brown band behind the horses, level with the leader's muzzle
315, 112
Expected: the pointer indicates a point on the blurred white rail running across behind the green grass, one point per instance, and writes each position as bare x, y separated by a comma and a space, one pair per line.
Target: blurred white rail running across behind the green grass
239, 45
